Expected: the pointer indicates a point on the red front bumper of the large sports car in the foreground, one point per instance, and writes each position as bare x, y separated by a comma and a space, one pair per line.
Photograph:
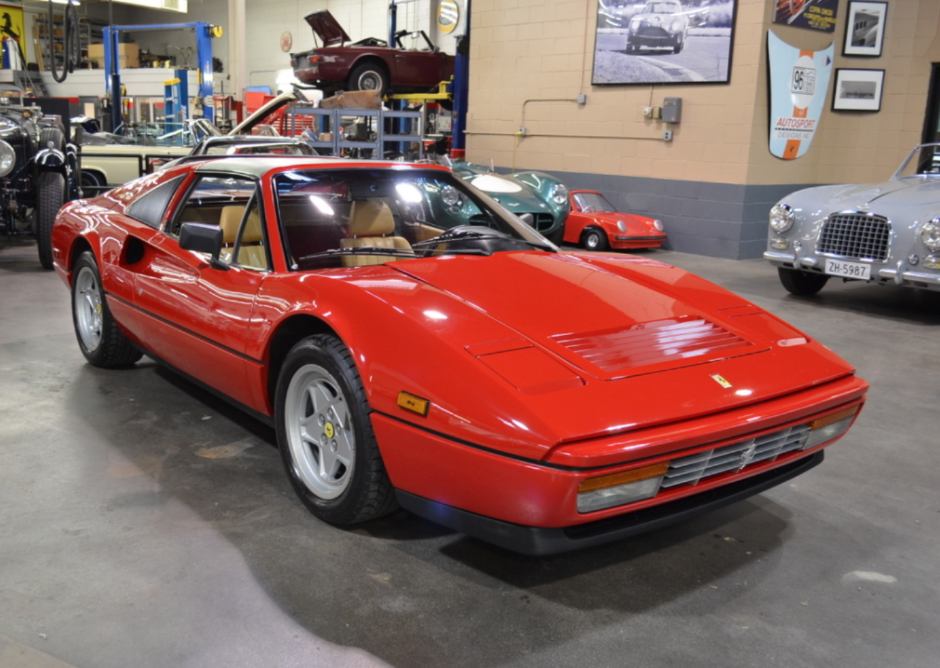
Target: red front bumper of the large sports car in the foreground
543, 494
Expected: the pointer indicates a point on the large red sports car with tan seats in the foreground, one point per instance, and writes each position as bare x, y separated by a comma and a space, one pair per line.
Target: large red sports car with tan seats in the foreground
472, 374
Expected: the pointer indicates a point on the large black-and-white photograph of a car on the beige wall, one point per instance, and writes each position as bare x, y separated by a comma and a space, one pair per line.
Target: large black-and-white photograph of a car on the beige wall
663, 41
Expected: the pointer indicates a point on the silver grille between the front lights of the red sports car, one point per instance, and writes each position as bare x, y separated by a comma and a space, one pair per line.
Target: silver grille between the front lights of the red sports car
695, 468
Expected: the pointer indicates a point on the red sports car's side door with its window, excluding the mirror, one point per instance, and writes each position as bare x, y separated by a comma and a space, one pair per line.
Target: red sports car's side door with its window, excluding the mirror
196, 314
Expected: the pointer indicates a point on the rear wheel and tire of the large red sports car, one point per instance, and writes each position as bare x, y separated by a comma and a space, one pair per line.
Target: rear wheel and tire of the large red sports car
100, 339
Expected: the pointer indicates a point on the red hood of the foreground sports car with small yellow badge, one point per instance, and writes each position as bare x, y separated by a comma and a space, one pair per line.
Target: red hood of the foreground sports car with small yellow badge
646, 339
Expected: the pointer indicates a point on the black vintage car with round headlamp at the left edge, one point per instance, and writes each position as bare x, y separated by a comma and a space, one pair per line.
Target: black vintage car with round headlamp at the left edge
38, 173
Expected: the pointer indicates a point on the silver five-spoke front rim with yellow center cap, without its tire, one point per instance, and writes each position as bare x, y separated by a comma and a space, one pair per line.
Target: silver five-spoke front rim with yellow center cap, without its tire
320, 433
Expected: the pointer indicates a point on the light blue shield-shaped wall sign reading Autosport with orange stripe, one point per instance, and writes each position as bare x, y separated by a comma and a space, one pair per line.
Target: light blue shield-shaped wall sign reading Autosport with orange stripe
799, 86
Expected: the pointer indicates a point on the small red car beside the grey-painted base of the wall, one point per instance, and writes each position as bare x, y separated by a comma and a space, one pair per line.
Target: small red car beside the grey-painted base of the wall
595, 224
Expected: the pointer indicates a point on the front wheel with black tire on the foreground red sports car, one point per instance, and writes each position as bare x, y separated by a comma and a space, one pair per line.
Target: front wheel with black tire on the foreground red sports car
351, 491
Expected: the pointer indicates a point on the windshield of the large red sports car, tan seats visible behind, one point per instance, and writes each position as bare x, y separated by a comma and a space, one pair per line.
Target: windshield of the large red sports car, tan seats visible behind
353, 217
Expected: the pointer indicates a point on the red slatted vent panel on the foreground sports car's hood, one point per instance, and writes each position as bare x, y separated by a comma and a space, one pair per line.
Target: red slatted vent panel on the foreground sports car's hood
650, 343
